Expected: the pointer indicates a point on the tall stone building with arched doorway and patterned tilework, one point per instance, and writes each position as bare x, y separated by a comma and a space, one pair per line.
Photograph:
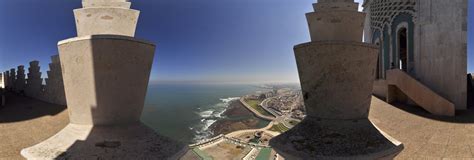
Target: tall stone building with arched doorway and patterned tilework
426, 39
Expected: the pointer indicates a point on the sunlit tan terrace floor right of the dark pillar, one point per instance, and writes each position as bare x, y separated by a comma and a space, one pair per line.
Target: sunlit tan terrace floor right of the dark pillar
423, 135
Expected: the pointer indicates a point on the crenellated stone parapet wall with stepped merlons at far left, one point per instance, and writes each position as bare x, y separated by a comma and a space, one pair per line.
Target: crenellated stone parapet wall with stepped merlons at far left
32, 86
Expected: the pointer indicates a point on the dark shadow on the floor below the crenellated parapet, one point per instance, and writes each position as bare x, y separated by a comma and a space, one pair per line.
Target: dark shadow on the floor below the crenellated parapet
20, 108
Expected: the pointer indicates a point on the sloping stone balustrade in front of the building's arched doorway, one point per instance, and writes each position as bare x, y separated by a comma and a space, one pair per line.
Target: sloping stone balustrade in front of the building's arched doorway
419, 93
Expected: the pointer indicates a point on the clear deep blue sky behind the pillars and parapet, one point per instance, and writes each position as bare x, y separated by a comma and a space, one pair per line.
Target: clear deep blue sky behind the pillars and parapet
204, 41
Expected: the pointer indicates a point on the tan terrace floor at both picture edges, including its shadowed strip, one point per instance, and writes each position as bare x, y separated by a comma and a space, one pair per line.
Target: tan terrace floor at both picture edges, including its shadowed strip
25, 122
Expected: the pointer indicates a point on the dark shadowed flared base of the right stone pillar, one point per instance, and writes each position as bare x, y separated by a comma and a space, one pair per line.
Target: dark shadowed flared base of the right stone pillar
336, 139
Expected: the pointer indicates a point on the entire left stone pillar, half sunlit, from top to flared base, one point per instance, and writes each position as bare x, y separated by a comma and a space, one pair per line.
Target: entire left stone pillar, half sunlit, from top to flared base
105, 72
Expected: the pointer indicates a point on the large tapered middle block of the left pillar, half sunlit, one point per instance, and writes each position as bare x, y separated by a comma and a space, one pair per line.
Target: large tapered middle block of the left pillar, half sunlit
106, 78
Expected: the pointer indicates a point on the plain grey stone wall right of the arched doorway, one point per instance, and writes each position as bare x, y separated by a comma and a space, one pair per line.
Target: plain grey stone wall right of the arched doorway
440, 44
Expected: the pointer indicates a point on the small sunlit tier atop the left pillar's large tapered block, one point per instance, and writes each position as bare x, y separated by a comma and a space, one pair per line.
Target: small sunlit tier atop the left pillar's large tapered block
106, 20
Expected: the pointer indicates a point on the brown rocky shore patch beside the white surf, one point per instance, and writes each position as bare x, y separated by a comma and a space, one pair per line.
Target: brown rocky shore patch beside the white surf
237, 118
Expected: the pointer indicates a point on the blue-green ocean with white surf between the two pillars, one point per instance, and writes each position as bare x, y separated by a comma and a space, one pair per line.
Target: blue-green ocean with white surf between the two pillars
184, 112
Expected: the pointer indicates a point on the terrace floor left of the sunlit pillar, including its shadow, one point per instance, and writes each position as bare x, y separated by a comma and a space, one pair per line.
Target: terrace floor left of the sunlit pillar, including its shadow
25, 122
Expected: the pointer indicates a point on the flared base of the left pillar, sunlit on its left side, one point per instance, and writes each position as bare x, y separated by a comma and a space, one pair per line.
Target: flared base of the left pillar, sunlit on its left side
135, 141
